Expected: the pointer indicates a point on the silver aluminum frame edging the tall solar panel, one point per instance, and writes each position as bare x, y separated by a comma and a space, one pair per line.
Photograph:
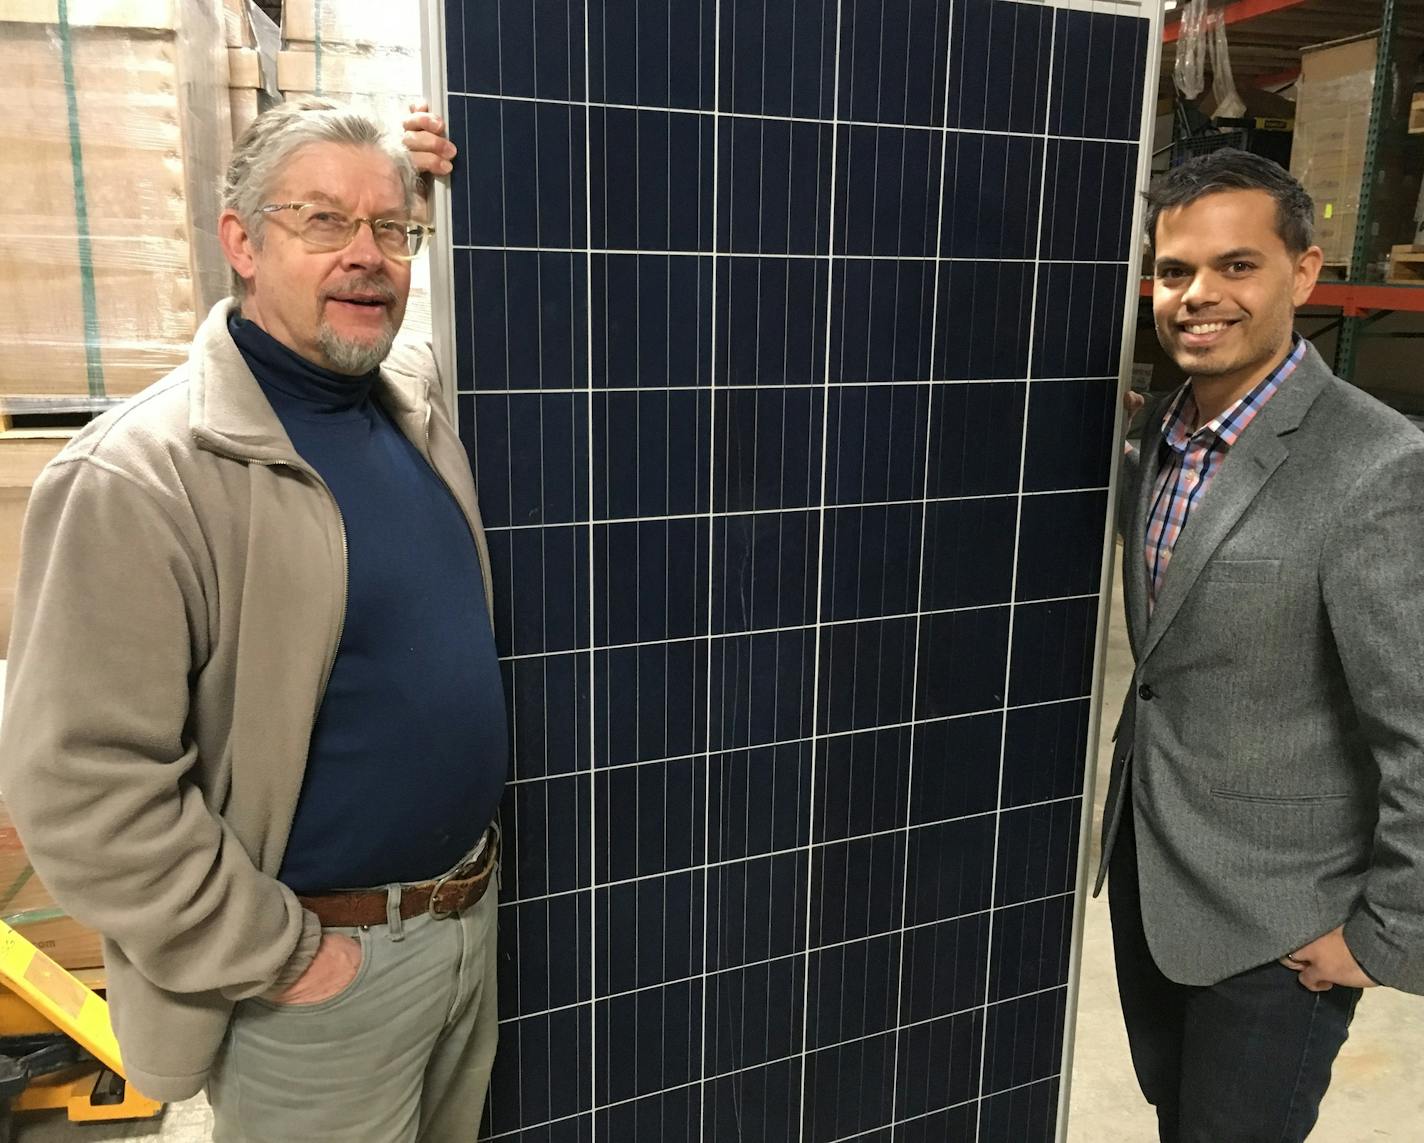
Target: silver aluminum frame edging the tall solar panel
444, 310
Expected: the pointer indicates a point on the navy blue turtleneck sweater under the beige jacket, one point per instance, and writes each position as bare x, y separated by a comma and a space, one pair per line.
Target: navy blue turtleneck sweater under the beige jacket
411, 745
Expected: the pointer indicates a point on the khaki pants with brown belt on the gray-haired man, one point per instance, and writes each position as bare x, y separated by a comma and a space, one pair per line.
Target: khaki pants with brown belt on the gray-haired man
402, 1055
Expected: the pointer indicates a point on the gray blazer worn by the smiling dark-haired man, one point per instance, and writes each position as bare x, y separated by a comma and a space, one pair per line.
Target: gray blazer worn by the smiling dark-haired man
1272, 739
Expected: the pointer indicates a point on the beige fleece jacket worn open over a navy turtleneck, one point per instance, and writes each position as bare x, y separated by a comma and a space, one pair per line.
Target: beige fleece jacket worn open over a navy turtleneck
183, 584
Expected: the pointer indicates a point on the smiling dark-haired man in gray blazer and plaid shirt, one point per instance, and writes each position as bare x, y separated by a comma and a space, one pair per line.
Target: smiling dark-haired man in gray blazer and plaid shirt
1265, 825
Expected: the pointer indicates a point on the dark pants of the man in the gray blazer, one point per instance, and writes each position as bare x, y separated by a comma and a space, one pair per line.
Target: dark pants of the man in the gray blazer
1244, 1061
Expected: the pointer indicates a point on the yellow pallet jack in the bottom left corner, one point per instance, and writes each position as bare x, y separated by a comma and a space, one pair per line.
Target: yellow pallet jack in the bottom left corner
58, 1047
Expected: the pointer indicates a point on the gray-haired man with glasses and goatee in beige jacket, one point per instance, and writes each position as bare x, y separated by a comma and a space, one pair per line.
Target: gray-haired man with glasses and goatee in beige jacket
256, 732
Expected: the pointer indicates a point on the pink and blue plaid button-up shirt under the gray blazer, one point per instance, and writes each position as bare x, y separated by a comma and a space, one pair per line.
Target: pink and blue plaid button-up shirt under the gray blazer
1191, 459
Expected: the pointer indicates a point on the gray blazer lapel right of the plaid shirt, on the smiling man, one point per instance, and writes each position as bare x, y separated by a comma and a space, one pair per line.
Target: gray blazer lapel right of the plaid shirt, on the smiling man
1244, 473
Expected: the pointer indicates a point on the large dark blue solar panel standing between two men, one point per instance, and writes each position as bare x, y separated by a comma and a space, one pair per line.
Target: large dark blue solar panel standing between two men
787, 341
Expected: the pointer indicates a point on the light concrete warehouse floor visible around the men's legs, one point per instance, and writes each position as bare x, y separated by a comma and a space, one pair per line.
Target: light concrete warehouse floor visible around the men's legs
1376, 1094
